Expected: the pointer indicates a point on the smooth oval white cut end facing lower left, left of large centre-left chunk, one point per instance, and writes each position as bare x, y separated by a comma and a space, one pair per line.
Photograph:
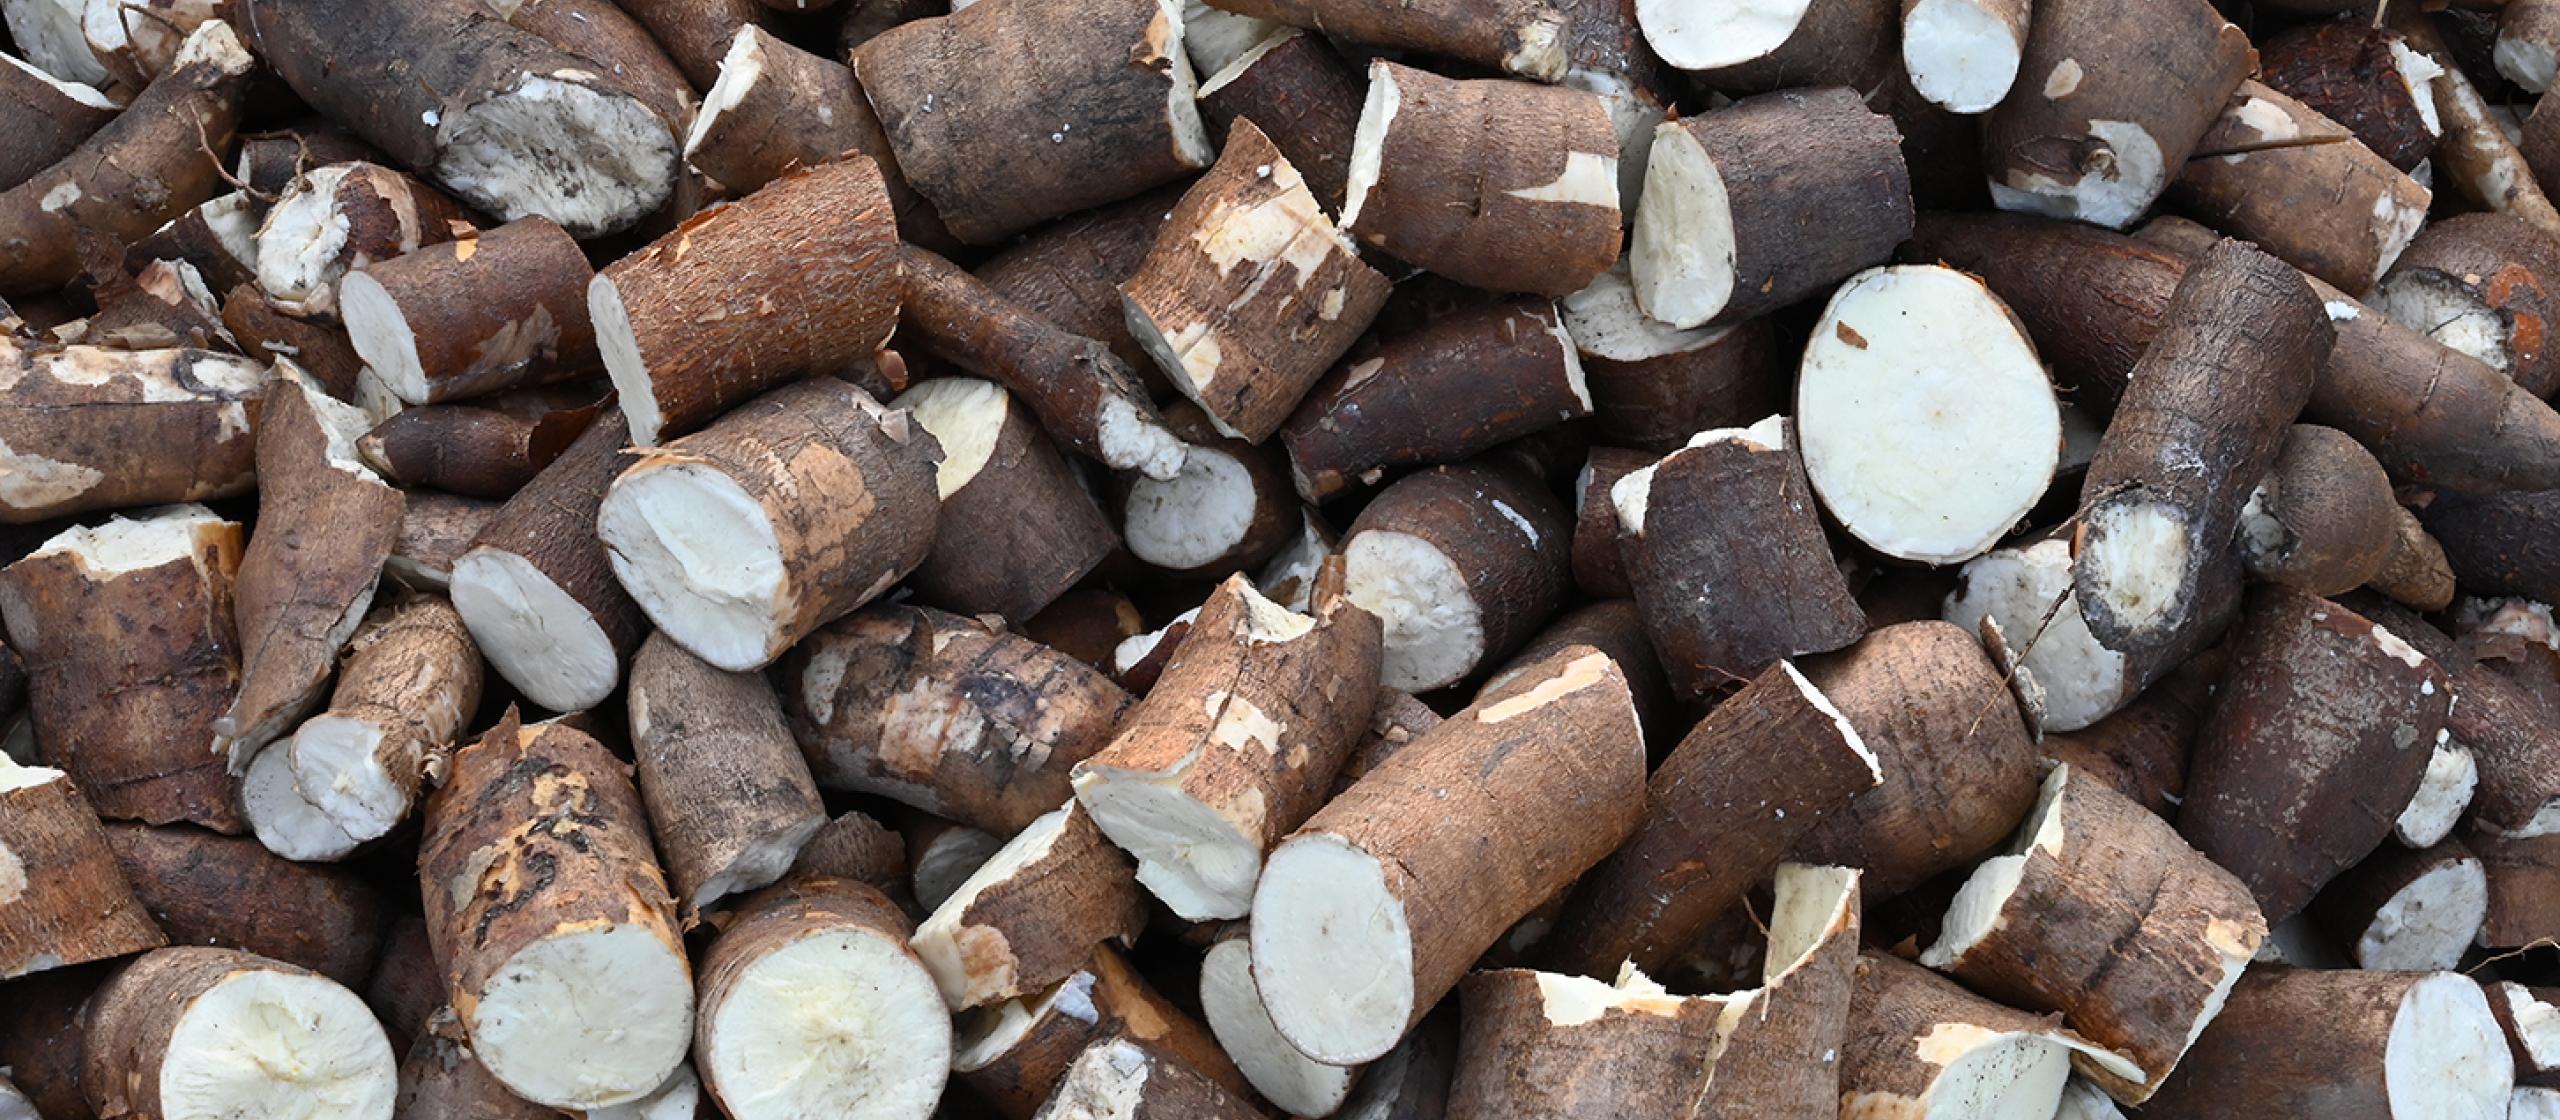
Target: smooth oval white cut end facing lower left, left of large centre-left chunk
534, 633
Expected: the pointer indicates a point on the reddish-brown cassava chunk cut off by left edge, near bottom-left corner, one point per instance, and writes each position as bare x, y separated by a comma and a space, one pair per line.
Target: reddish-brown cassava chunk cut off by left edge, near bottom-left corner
68, 901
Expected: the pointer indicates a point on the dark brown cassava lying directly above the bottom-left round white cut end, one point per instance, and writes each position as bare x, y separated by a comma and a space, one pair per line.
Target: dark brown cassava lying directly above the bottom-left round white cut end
229, 891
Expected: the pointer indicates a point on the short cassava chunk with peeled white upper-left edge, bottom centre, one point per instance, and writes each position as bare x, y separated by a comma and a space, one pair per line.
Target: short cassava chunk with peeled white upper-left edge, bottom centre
1033, 914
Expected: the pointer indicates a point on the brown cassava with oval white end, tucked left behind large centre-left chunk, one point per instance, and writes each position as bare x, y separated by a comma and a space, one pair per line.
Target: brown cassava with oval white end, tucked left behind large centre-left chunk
539, 592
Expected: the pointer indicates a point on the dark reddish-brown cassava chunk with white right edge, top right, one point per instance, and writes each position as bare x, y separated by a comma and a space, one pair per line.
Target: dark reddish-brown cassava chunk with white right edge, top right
2346, 73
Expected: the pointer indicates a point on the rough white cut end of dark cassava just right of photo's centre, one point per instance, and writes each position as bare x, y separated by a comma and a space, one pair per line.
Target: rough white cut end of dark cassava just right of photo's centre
1435, 630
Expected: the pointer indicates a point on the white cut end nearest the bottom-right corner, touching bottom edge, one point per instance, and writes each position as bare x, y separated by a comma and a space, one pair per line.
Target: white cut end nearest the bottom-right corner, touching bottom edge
2446, 1057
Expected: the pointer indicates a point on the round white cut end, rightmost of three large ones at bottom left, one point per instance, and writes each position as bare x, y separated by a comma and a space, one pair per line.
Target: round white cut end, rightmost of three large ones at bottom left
836, 1024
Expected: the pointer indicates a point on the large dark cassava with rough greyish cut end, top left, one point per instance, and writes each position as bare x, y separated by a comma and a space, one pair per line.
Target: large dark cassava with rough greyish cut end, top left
493, 114
